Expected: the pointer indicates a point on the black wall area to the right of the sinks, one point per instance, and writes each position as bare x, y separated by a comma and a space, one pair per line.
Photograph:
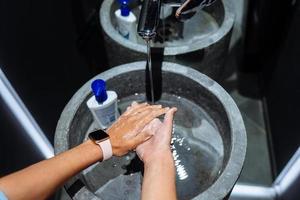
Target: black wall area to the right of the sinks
272, 56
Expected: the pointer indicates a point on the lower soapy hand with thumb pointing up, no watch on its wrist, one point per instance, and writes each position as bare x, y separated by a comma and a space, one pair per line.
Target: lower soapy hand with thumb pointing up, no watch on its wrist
159, 145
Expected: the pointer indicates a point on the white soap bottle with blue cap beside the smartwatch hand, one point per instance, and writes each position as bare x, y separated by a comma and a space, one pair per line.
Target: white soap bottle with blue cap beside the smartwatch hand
103, 104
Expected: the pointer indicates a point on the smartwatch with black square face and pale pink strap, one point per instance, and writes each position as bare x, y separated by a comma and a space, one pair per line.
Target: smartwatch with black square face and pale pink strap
101, 138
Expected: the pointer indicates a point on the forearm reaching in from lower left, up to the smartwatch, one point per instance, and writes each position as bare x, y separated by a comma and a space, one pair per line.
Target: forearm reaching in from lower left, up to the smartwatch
46, 176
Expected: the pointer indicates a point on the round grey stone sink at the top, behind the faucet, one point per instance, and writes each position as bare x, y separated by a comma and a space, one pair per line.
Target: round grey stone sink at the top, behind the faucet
201, 42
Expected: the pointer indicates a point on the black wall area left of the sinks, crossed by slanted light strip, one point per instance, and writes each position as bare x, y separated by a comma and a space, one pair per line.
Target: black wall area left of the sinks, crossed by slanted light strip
48, 49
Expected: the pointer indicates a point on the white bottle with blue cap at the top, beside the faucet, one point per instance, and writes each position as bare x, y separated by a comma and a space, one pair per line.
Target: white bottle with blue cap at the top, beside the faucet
126, 21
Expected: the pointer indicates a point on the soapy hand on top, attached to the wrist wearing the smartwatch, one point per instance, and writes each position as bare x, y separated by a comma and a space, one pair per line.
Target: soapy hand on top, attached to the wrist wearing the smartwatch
126, 133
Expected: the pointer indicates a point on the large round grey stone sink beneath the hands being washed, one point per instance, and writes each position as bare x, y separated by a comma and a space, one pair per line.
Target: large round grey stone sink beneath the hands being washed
209, 139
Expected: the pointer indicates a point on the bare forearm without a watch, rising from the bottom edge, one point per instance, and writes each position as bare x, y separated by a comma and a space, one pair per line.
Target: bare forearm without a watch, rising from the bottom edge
159, 179
